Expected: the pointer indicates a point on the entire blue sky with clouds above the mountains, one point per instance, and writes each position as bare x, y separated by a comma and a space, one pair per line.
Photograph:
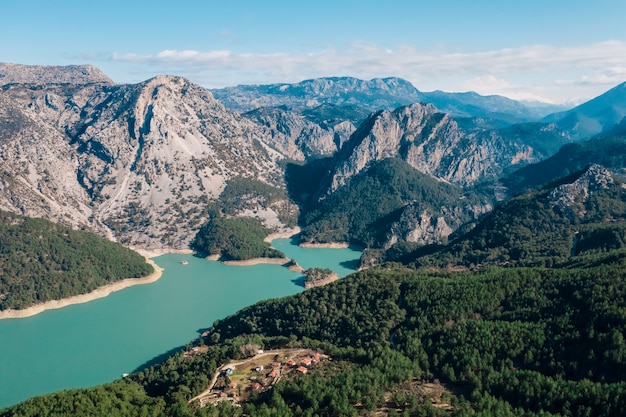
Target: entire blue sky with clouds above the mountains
556, 51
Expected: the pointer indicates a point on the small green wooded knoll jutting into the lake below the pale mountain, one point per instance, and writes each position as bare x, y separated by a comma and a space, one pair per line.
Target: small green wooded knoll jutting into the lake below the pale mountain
236, 238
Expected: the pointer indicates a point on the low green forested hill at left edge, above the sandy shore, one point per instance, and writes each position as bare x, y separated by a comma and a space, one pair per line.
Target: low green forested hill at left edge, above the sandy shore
42, 261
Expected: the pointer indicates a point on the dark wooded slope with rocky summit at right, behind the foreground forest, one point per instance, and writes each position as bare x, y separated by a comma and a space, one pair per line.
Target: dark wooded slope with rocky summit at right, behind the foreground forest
581, 215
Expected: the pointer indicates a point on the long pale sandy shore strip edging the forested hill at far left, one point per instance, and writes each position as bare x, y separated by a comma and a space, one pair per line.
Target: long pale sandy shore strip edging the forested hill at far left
84, 298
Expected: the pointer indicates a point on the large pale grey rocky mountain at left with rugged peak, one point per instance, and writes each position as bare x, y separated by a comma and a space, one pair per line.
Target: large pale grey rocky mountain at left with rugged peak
135, 162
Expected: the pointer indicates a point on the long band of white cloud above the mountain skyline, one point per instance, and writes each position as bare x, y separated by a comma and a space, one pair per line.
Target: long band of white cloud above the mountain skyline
541, 72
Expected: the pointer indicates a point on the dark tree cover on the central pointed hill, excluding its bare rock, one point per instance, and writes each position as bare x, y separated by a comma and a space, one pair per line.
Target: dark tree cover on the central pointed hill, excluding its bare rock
363, 211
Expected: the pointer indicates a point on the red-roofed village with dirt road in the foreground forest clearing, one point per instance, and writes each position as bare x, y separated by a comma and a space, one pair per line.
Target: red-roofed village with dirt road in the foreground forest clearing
236, 381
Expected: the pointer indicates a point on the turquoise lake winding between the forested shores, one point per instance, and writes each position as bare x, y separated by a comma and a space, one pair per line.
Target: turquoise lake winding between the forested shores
94, 343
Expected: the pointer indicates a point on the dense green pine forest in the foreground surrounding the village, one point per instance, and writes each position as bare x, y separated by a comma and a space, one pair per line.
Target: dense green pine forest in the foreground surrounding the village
495, 342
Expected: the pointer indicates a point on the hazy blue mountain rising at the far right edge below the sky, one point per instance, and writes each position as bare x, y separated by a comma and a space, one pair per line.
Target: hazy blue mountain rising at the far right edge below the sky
594, 116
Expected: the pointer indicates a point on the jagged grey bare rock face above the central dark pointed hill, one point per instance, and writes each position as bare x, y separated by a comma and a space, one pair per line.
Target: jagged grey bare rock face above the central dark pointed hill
432, 143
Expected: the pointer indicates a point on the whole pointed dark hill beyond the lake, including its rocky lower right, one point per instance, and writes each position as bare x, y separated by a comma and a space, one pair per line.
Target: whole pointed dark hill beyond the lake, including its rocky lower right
389, 202
